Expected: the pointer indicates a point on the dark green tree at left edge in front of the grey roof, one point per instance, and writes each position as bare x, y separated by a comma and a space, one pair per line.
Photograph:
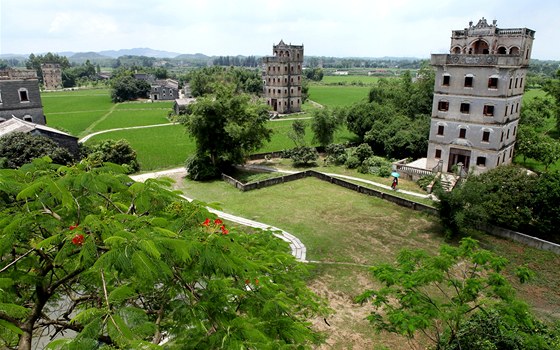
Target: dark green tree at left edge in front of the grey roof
20, 148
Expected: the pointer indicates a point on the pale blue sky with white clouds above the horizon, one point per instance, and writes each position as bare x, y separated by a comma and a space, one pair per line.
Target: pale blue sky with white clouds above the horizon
339, 28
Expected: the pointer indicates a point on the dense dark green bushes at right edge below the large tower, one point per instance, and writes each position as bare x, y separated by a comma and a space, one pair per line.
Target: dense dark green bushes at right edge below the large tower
506, 196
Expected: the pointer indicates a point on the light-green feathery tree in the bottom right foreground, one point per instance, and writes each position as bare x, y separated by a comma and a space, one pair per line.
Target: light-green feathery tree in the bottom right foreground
437, 294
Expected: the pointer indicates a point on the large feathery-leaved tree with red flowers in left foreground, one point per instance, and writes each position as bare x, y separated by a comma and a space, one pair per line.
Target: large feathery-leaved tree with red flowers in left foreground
130, 265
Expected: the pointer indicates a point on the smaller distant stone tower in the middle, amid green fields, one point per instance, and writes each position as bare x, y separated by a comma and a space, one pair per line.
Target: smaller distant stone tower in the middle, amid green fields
282, 78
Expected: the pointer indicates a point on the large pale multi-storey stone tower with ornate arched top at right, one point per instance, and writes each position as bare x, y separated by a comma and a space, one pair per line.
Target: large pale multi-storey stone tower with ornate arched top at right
477, 97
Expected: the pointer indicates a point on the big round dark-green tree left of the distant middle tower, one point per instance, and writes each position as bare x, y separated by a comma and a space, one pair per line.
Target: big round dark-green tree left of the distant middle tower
227, 127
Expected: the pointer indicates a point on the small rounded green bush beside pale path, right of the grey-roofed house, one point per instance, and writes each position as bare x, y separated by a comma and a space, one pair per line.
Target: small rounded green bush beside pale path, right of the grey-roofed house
119, 152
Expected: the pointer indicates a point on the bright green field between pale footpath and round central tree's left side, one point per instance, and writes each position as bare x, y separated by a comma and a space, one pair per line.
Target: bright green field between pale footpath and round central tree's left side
157, 148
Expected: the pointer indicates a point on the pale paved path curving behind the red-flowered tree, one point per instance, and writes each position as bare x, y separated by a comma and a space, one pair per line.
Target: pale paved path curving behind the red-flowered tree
297, 248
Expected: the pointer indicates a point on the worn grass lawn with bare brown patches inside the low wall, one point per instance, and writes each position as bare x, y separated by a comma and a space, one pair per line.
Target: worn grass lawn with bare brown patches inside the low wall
345, 232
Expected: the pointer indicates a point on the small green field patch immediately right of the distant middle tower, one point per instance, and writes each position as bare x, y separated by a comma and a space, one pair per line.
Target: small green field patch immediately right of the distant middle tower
337, 96
